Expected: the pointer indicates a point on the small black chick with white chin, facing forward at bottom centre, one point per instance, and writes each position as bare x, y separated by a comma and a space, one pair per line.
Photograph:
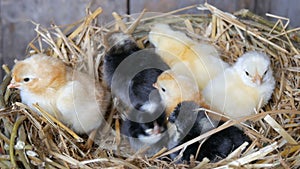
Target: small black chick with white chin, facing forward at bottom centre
143, 133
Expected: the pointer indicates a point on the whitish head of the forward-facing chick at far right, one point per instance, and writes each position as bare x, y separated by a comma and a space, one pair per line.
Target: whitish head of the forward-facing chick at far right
254, 68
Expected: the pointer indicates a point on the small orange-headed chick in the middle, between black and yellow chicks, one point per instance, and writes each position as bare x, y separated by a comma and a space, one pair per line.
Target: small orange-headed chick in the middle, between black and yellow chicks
174, 89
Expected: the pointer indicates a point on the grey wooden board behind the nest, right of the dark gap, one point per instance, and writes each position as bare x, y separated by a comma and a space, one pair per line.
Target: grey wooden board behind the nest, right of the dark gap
283, 8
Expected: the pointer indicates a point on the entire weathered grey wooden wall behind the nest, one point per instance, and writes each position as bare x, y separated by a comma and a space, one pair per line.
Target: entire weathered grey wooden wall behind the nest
16, 15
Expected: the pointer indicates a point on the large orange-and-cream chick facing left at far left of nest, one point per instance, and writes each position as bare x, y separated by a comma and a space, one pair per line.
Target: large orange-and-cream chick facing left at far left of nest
71, 96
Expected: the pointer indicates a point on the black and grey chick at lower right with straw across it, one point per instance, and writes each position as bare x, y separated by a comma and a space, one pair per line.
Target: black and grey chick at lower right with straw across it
216, 147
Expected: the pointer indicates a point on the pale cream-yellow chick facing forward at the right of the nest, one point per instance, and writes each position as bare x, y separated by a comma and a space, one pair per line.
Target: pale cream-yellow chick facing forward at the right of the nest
238, 91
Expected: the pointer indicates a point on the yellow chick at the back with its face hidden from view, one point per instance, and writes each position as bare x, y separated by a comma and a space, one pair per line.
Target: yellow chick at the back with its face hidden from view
185, 55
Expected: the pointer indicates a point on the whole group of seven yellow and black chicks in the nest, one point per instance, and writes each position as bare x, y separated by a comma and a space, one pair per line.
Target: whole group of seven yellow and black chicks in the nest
162, 92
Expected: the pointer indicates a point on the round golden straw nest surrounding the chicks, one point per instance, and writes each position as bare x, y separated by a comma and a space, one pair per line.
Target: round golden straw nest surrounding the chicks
28, 140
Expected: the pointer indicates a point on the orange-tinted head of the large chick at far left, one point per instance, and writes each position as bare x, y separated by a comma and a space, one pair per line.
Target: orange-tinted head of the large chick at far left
37, 73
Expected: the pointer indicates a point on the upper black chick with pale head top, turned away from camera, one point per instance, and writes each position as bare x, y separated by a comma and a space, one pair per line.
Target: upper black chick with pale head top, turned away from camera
130, 72
